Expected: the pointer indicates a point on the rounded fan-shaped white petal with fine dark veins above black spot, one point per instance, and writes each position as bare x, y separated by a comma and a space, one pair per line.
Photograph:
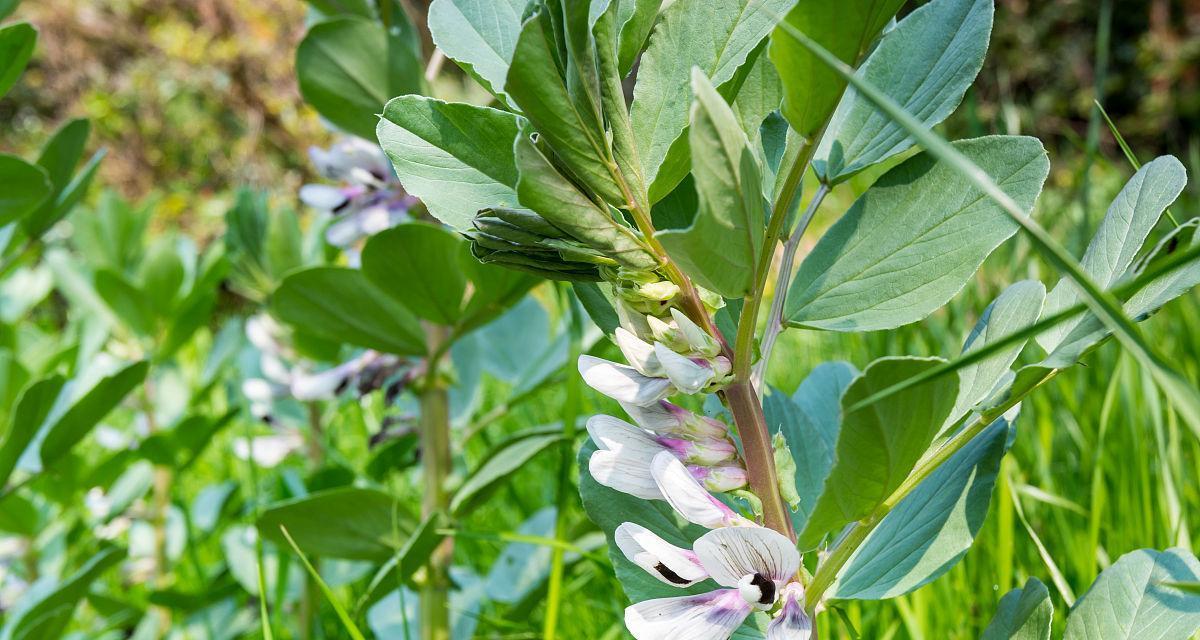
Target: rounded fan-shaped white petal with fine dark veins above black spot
733, 554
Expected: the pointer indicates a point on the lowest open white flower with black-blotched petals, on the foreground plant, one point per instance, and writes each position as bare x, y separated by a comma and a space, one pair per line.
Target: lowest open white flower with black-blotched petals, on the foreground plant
754, 564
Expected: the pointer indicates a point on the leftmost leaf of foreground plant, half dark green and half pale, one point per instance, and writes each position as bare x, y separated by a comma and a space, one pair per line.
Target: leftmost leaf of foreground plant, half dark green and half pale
457, 158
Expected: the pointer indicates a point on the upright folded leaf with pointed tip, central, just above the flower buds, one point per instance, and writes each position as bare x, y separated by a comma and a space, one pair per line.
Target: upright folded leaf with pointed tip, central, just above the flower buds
722, 248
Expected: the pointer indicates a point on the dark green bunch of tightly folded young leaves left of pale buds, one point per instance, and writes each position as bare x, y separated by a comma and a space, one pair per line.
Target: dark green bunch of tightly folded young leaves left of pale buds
521, 240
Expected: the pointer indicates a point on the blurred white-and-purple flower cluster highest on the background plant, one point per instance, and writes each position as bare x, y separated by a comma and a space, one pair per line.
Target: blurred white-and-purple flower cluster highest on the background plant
369, 199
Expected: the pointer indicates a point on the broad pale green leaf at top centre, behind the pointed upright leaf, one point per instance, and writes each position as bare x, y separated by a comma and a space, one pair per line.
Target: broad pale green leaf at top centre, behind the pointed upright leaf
717, 37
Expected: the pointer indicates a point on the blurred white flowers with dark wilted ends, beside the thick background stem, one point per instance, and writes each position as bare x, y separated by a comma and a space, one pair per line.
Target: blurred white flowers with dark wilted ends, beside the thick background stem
287, 376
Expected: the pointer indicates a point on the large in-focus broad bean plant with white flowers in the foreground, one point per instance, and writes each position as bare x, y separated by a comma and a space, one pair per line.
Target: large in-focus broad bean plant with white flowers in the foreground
653, 155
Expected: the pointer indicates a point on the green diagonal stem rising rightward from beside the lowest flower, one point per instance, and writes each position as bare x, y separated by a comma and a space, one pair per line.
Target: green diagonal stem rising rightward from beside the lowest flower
850, 543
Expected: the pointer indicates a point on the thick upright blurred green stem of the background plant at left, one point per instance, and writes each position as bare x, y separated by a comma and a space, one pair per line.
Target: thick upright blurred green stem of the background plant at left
436, 466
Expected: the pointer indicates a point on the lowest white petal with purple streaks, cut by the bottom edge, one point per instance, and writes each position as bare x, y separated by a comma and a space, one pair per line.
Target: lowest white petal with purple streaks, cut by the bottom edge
709, 617
